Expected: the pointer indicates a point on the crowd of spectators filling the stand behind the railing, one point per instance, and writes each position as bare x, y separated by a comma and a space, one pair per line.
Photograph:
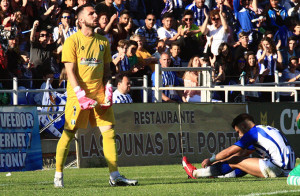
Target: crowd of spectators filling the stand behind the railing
250, 37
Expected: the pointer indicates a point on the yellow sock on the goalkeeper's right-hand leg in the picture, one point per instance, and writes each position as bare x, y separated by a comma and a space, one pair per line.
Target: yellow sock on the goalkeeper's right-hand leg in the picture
110, 150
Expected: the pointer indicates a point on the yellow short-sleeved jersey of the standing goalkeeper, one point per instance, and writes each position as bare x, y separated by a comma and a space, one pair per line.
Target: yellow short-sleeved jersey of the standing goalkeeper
89, 54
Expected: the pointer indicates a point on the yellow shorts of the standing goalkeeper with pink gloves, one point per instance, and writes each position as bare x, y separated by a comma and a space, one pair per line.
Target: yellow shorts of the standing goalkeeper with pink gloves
75, 118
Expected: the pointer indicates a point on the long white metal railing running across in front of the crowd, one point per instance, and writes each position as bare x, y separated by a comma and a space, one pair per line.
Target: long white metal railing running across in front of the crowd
206, 88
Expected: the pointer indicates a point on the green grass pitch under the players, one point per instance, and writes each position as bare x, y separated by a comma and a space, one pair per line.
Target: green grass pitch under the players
153, 180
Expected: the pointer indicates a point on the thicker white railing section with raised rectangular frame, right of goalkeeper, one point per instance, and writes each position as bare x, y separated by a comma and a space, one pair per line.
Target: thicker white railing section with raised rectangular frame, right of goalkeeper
208, 87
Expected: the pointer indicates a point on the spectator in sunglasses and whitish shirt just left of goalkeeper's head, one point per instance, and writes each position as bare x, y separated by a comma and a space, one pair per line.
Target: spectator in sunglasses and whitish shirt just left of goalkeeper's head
65, 26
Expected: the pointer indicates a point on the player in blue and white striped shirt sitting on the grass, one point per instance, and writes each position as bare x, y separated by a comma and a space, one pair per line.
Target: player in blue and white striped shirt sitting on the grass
277, 156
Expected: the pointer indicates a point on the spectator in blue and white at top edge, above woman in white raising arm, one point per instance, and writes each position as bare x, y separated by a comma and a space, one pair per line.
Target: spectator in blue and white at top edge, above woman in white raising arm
198, 7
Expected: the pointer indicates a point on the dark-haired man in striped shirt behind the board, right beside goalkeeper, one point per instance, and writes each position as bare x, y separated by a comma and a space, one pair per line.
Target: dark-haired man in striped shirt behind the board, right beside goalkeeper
121, 94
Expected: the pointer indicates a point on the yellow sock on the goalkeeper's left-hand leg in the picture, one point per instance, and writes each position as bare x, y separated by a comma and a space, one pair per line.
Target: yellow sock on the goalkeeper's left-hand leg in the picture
62, 149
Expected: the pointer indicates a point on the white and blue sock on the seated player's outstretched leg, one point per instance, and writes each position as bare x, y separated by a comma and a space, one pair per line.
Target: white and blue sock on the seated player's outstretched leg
217, 169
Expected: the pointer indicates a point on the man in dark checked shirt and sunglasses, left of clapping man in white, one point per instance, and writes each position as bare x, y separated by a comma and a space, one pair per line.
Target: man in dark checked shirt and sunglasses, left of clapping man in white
149, 33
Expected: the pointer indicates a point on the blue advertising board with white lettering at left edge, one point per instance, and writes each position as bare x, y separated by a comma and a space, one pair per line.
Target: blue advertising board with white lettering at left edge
20, 144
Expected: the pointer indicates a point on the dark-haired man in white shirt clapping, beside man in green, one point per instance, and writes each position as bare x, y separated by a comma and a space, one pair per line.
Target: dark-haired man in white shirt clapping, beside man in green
166, 32
